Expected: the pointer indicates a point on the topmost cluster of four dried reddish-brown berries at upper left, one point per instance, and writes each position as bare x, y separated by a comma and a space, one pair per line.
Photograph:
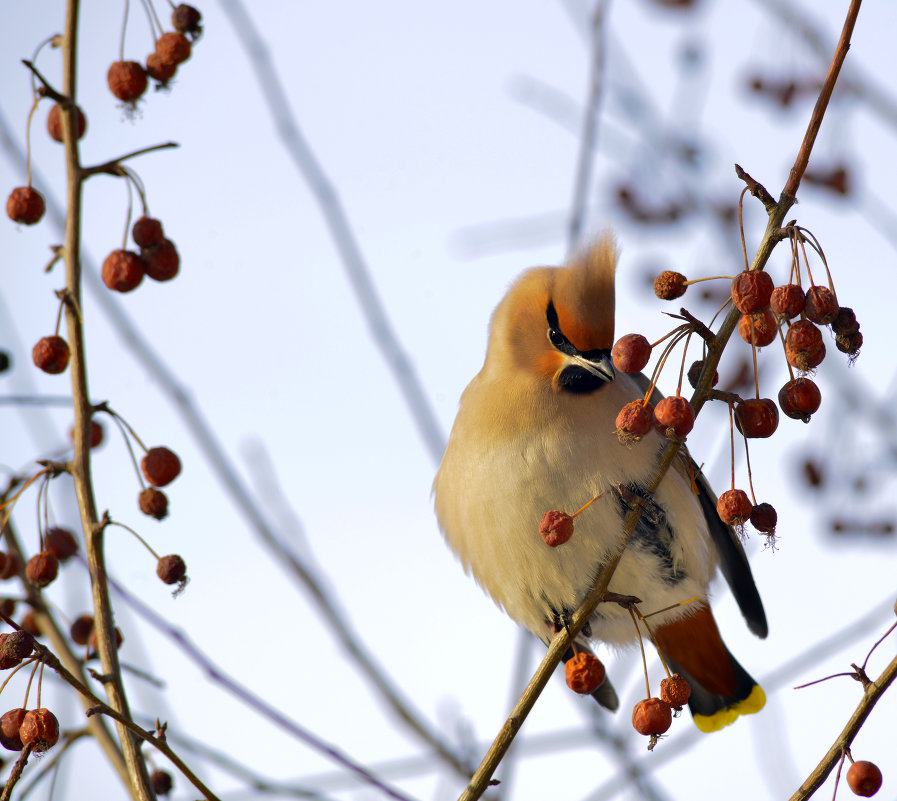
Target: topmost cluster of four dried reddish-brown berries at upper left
128, 80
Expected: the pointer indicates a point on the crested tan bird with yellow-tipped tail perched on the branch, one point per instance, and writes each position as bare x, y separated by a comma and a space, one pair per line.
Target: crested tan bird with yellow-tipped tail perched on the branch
535, 431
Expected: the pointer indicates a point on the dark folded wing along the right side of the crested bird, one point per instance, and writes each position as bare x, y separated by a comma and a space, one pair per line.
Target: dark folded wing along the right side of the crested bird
732, 558
